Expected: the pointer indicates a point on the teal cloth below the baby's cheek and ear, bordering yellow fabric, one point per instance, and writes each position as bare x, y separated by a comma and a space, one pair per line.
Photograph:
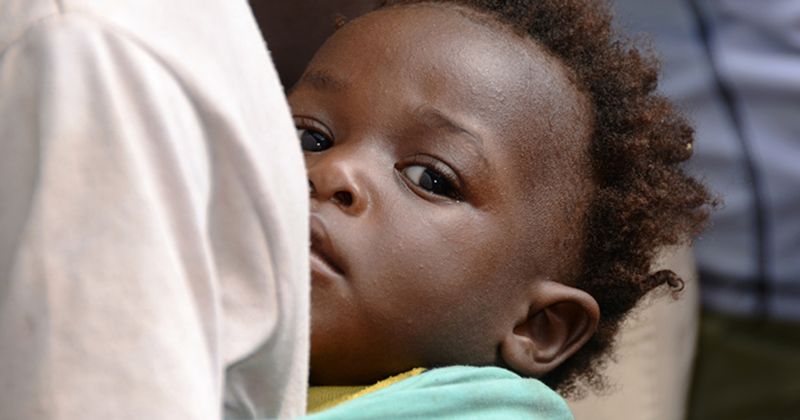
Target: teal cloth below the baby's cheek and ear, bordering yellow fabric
456, 392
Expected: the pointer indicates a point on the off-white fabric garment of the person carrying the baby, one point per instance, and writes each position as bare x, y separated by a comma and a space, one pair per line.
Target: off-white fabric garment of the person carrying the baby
153, 215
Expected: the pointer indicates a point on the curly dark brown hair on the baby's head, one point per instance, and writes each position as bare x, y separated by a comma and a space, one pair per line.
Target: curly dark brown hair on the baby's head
644, 200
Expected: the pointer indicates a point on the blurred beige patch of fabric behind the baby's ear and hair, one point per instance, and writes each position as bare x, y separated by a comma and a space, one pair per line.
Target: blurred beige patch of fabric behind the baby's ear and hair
651, 375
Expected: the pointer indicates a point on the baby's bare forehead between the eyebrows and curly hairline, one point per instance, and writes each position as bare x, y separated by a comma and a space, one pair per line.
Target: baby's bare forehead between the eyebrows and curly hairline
450, 54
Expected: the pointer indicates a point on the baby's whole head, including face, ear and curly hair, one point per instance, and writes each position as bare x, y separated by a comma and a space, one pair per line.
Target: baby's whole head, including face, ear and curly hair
489, 184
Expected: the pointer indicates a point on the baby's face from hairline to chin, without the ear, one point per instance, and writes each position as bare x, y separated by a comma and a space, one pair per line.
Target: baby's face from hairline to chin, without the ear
446, 161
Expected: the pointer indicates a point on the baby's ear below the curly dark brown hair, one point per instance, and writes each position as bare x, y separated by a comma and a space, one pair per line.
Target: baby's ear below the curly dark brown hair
559, 321
